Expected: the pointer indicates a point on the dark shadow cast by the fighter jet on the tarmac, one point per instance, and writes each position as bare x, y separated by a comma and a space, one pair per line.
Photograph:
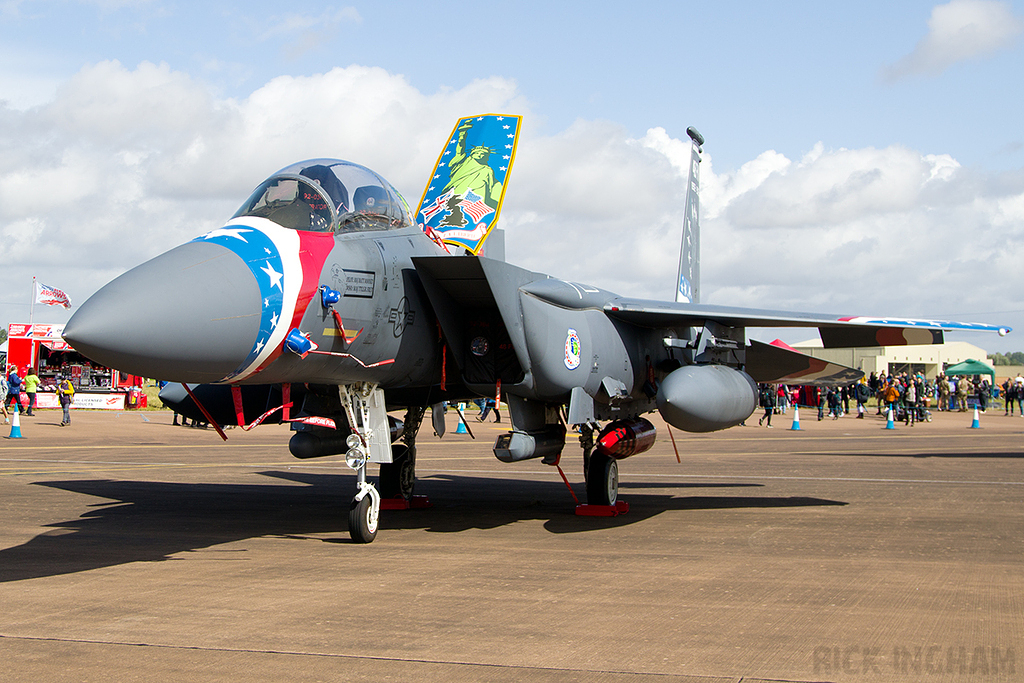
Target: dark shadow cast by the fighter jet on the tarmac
150, 522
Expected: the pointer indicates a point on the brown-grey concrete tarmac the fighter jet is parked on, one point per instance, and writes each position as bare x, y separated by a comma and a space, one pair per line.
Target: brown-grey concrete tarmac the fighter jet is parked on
132, 549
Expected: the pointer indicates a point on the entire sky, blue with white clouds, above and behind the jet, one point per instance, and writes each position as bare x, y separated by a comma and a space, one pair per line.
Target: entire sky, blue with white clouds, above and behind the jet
861, 159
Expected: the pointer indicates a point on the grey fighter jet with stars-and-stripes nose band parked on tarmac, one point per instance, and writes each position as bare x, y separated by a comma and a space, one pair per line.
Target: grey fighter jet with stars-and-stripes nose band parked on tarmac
325, 304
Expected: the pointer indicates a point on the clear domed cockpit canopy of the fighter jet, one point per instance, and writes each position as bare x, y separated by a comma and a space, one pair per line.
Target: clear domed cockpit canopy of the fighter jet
326, 196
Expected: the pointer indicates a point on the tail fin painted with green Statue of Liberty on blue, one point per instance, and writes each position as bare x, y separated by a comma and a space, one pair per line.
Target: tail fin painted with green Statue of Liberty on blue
464, 197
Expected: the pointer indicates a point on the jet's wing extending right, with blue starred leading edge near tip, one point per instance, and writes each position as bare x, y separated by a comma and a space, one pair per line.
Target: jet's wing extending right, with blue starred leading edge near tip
836, 331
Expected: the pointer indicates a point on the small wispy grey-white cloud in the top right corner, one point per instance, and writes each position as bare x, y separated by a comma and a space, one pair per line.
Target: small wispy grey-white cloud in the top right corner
957, 31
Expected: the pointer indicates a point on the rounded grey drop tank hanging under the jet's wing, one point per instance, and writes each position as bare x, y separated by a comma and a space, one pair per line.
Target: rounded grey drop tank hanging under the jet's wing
704, 399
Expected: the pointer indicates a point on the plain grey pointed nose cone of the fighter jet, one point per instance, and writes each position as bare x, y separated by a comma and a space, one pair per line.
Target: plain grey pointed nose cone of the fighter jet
191, 315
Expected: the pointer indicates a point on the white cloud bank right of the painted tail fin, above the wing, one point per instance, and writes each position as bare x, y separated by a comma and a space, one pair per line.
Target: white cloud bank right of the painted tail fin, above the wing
856, 232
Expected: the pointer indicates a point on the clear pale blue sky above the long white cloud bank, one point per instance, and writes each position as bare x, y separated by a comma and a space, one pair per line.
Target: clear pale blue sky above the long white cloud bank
752, 76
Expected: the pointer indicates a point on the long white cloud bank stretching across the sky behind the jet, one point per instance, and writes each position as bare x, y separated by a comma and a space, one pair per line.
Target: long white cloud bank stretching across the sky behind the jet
123, 164
